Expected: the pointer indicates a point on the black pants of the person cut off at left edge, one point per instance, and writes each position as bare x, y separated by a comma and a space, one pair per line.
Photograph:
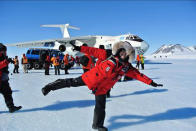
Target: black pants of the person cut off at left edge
6, 91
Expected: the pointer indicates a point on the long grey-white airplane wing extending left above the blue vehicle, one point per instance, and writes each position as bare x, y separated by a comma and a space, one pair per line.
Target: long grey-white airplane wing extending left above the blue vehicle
51, 43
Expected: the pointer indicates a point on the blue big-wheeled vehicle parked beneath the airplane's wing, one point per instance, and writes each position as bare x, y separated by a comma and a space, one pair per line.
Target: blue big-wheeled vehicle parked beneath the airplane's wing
37, 56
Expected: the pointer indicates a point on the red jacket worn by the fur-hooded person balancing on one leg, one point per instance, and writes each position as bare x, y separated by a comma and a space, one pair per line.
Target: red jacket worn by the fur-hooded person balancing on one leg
107, 73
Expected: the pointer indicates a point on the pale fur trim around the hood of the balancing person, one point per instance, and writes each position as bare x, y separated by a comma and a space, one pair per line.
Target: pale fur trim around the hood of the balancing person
127, 46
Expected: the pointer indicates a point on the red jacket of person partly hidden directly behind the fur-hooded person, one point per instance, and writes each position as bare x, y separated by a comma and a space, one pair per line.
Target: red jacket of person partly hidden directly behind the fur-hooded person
101, 54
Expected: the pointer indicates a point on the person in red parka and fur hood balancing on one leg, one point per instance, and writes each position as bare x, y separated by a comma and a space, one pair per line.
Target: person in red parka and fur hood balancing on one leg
102, 78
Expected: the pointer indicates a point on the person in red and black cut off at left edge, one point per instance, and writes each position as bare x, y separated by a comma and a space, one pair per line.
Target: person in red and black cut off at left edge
5, 89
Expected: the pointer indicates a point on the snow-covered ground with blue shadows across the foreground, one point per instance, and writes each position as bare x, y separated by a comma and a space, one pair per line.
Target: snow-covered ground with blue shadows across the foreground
133, 106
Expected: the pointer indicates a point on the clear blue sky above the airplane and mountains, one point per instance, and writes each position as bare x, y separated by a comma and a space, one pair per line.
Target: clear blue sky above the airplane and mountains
157, 22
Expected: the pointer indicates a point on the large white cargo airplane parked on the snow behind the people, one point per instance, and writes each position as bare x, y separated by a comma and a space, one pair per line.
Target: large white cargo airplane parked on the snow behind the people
62, 44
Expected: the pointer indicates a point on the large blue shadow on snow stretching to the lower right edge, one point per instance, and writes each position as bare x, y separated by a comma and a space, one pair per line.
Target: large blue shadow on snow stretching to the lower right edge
172, 114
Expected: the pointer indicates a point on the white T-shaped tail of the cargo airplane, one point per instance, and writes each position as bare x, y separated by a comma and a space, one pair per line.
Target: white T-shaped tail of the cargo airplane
64, 29
